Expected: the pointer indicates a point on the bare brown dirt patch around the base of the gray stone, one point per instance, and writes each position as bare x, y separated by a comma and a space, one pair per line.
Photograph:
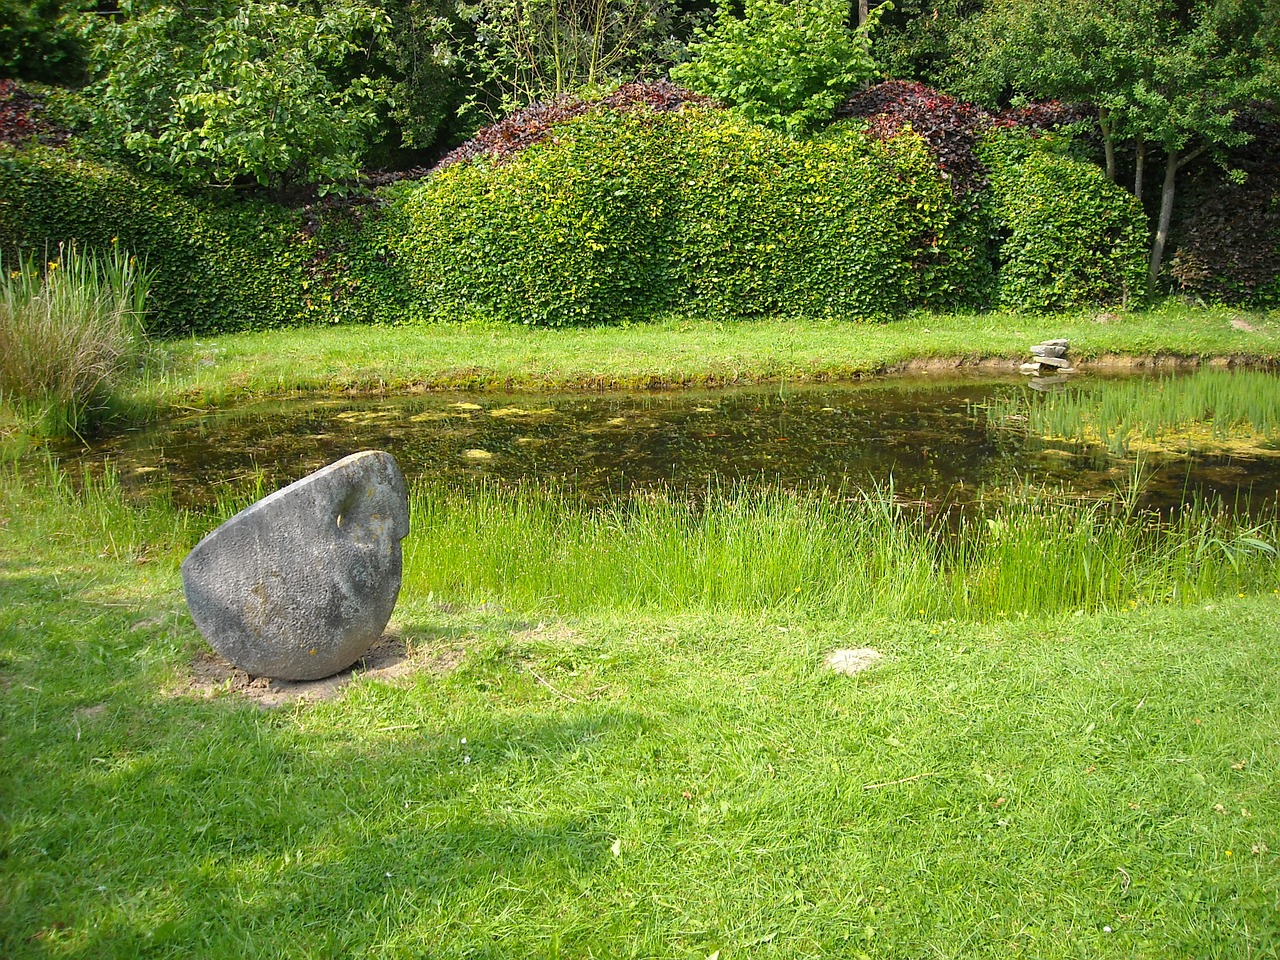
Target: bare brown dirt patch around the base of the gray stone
388, 660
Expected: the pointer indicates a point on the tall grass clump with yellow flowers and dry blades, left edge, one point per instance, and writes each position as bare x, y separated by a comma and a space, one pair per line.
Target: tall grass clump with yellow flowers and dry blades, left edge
71, 330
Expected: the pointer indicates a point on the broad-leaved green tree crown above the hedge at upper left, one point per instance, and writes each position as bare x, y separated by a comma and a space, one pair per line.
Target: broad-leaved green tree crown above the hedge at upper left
252, 93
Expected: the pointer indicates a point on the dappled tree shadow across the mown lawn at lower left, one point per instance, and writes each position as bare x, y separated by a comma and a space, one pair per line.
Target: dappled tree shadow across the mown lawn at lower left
164, 826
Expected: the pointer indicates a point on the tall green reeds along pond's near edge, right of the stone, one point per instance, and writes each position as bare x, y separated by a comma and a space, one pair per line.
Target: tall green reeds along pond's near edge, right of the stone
1036, 552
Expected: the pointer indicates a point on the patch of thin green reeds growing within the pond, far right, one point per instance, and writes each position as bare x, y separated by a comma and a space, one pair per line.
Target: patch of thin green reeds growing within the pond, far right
1212, 405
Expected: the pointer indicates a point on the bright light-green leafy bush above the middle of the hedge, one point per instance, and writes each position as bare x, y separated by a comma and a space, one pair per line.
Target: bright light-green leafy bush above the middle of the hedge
783, 65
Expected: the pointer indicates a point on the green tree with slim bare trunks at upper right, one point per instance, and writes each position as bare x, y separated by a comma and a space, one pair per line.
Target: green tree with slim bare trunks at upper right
1167, 74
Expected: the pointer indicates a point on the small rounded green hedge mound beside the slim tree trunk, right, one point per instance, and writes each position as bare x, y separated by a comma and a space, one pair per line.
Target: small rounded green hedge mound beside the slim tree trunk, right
1068, 237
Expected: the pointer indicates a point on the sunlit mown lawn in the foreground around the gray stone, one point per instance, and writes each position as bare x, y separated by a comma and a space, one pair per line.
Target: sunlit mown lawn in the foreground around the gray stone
621, 776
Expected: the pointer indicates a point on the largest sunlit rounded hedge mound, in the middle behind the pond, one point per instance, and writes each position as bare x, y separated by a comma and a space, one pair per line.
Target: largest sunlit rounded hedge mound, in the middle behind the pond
623, 216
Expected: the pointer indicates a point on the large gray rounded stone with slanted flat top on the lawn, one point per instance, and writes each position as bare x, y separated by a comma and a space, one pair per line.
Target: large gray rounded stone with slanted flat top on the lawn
301, 584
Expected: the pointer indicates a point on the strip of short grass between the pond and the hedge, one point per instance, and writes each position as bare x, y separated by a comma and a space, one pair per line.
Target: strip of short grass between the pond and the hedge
671, 354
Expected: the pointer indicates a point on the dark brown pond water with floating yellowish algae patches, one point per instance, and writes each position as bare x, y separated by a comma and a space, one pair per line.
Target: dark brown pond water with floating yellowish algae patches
935, 438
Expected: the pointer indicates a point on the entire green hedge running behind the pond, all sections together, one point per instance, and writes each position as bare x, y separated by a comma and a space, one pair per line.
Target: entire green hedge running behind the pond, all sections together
616, 217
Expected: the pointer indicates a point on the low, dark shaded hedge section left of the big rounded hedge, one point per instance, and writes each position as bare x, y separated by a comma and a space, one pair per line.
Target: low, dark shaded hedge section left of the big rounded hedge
218, 266
